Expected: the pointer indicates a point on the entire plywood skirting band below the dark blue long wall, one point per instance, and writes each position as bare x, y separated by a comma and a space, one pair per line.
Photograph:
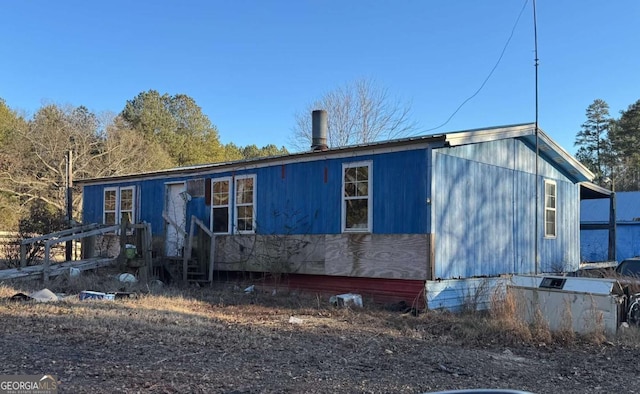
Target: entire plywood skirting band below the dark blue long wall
392, 256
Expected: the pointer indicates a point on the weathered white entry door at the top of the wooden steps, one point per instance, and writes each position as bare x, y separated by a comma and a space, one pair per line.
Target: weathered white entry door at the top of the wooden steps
175, 207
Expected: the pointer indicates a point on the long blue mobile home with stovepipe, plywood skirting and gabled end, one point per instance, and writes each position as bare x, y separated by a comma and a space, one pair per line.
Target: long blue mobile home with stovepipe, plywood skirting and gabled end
383, 217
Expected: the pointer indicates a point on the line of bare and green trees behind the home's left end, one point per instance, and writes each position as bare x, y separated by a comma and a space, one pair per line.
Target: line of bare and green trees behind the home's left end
153, 131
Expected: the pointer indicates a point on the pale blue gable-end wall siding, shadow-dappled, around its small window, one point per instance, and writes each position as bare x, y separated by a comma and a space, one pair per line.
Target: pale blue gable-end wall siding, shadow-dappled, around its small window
484, 217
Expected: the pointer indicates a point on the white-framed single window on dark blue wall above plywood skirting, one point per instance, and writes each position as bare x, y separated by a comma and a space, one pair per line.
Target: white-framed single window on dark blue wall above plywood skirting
356, 197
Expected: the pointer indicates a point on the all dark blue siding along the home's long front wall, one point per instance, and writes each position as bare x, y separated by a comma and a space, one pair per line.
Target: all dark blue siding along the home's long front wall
304, 197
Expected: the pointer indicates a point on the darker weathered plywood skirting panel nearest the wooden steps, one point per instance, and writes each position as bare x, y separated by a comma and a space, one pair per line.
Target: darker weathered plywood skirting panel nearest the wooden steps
303, 254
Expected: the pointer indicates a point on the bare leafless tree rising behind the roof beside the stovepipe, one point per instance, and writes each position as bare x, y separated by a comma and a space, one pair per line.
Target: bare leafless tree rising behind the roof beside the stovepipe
358, 112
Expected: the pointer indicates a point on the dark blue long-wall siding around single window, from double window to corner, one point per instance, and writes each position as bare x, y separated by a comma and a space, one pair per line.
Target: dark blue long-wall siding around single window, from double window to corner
297, 200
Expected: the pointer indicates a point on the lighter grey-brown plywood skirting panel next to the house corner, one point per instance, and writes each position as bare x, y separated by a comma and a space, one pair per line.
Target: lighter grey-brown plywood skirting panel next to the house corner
394, 256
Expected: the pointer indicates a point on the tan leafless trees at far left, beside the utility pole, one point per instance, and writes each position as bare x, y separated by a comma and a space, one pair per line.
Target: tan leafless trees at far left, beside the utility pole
32, 158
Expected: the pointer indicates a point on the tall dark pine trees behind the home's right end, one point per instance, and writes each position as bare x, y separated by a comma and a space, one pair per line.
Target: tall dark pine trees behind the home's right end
610, 147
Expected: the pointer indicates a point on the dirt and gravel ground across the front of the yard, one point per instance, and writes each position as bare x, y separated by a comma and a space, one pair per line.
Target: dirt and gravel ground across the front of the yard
221, 340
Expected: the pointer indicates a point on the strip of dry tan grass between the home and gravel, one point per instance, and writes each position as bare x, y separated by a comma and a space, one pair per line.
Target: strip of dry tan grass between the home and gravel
228, 304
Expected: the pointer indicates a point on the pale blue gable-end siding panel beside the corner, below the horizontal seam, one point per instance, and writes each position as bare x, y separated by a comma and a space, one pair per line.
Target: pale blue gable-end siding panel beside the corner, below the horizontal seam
473, 218
